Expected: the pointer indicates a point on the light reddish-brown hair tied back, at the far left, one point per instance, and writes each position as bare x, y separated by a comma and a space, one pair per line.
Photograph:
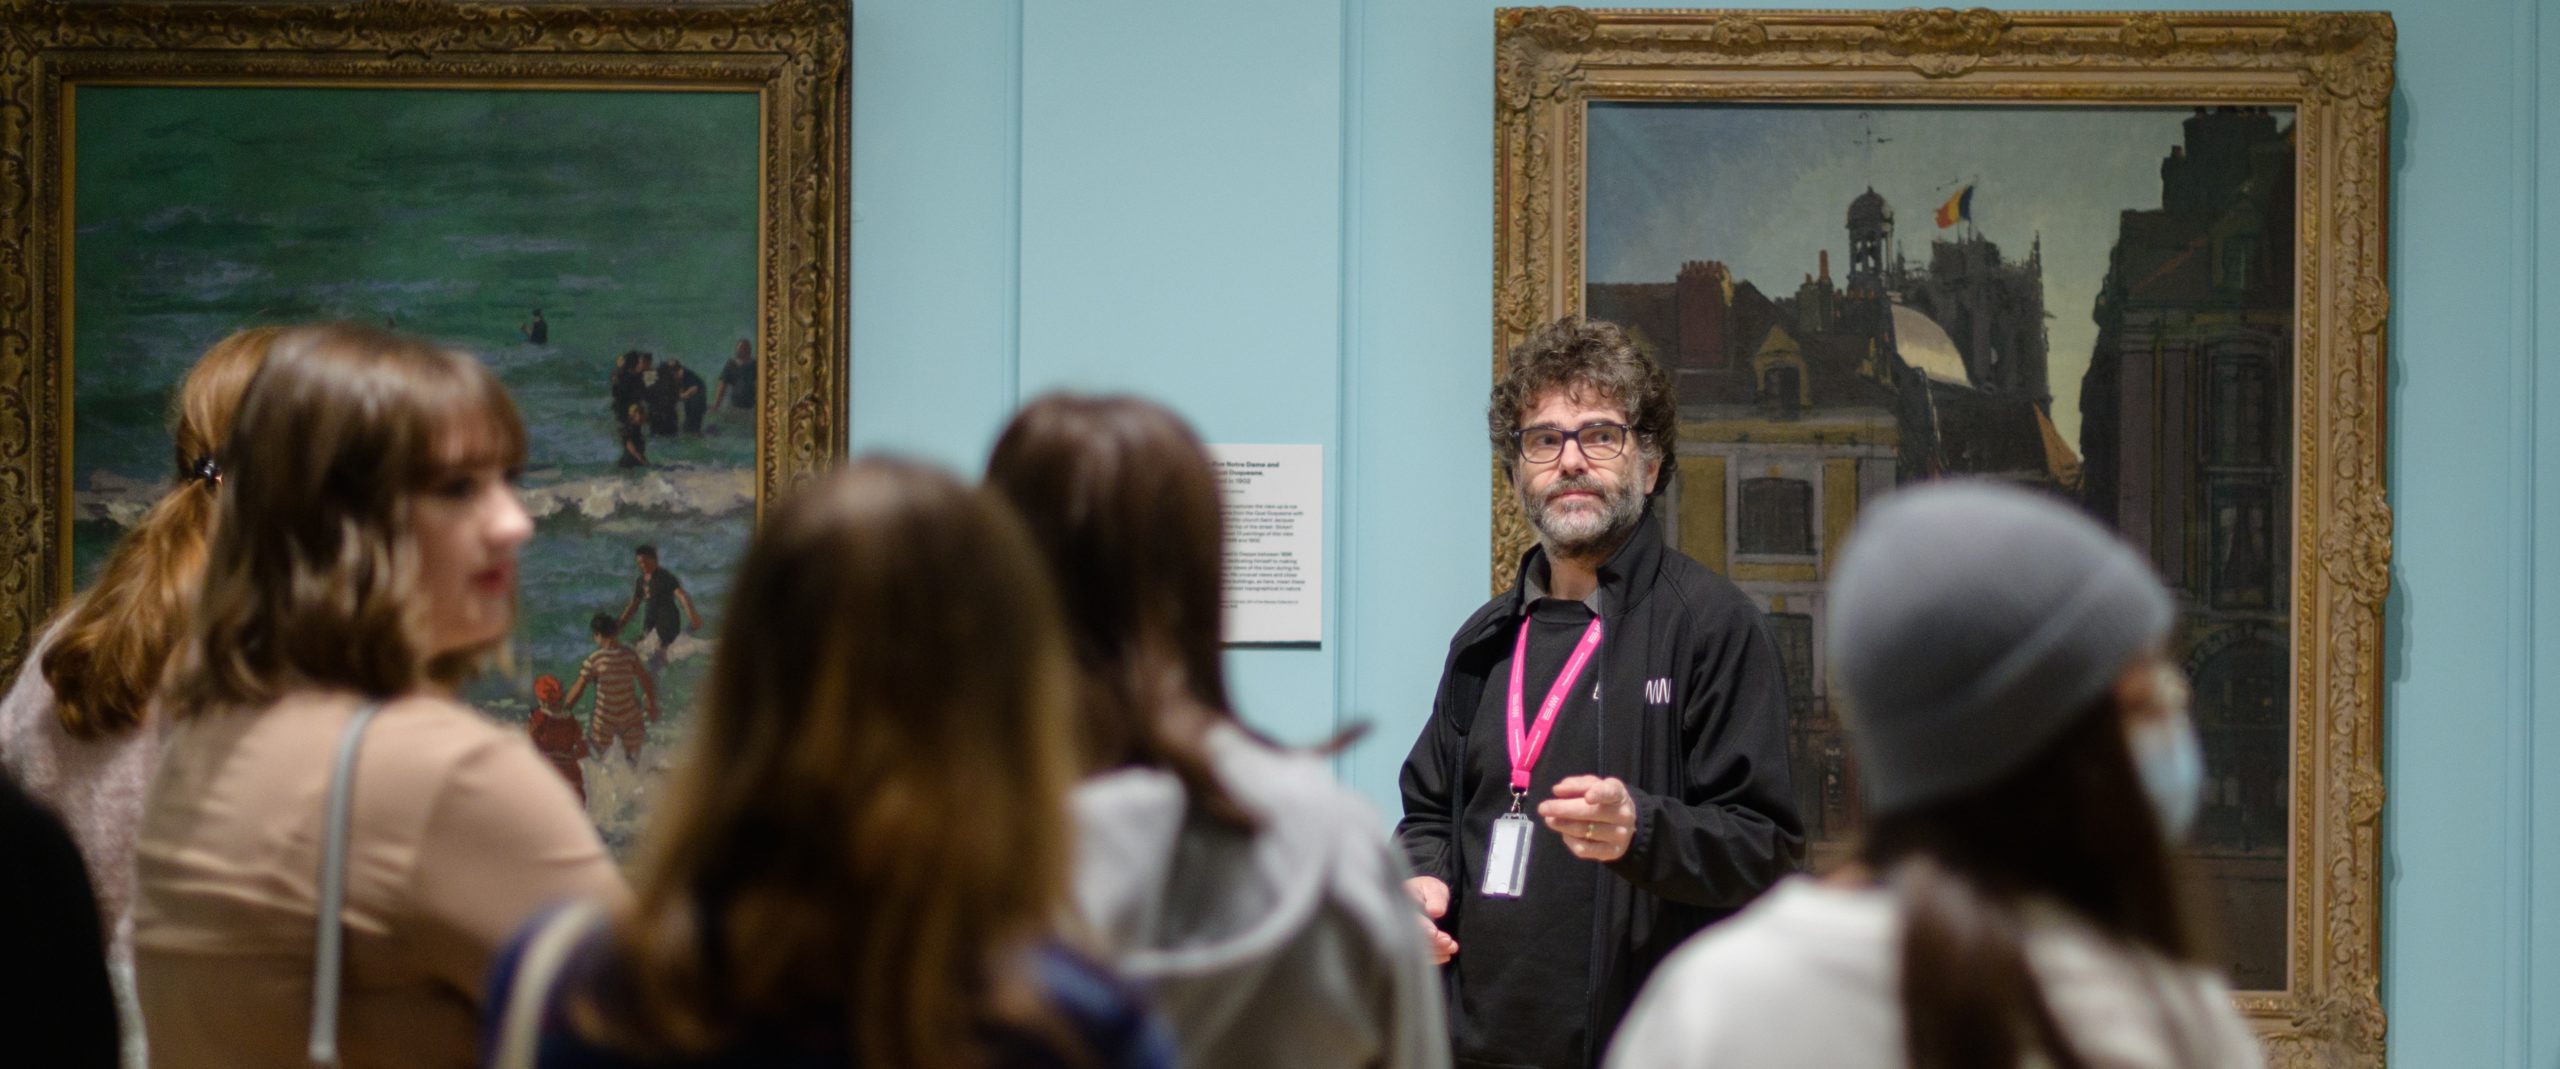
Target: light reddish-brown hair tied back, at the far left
114, 643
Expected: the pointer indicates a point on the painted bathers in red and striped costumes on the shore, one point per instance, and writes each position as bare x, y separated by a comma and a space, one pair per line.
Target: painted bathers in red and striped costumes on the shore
623, 682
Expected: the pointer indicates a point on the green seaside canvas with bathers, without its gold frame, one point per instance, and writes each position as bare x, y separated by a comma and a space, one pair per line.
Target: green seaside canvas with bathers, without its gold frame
554, 234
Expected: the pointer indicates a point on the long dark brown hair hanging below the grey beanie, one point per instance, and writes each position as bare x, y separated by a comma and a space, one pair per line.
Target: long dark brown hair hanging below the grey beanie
2070, 827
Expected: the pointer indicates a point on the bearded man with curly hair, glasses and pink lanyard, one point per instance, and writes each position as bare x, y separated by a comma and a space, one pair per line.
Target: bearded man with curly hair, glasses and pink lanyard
1606, 761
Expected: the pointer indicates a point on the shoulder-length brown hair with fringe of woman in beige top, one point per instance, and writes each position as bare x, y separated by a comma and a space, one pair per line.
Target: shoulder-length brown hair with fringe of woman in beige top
311, 579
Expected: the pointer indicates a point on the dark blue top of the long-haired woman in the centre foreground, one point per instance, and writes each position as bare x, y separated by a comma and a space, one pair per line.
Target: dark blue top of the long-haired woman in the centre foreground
1097, 1009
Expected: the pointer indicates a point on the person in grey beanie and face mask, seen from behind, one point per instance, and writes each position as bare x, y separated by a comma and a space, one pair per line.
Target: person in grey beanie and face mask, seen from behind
2029, 771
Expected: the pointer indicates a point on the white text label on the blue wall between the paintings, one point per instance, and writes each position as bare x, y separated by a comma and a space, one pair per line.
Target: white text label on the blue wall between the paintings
1274, 541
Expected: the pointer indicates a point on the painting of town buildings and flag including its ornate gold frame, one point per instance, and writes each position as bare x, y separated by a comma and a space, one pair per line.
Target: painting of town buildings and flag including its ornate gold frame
2205, 372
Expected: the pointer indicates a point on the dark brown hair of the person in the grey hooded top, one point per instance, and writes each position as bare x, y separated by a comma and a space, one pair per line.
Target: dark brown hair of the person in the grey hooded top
1125, 505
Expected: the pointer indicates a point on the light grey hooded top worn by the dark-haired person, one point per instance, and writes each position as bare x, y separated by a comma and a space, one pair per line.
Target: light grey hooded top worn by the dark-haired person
1281, 948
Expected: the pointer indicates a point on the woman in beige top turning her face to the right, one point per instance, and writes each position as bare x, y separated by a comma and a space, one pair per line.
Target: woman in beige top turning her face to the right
362, 559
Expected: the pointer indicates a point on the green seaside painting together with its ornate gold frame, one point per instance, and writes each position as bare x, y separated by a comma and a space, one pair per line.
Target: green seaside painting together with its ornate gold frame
552, 185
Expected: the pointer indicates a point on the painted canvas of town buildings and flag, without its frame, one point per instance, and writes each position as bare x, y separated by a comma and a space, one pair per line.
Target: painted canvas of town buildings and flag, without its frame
2093, 303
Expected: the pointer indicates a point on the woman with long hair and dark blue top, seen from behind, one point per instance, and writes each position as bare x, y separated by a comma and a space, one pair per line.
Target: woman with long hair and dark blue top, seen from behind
869, 838
